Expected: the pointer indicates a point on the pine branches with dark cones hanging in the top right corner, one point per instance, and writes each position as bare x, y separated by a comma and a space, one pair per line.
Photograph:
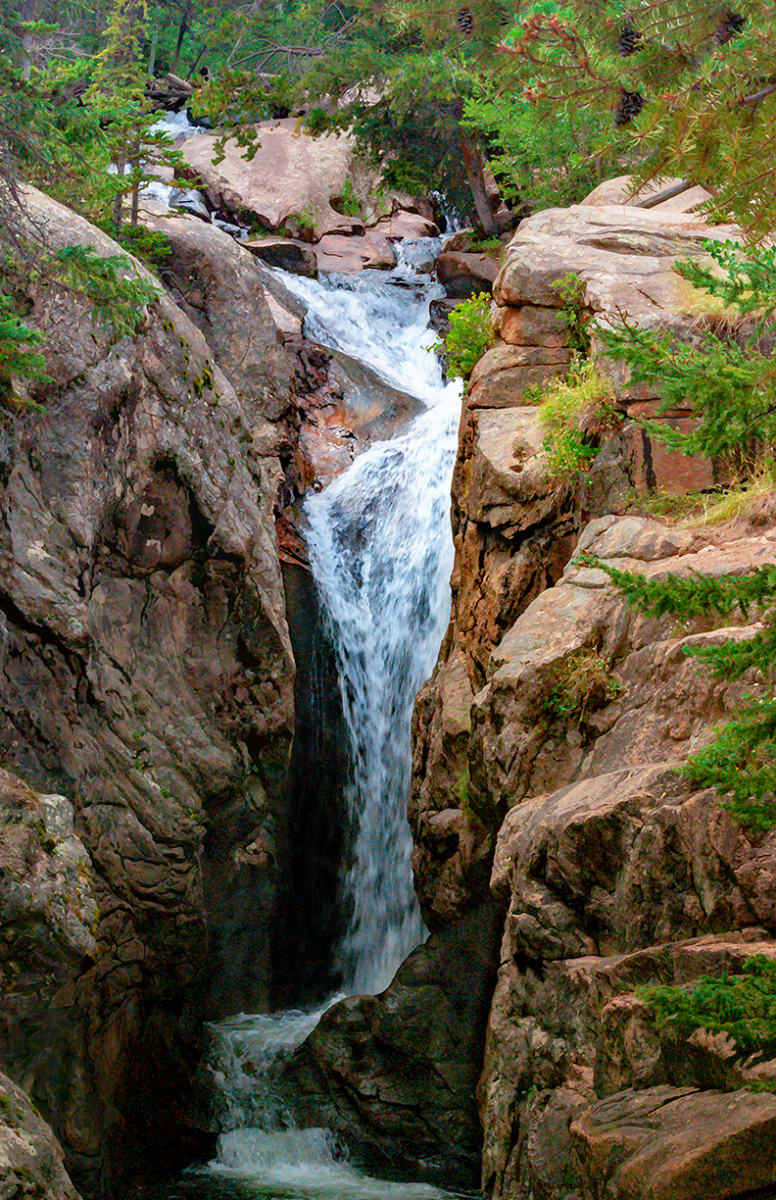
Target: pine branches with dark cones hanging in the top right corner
689, 89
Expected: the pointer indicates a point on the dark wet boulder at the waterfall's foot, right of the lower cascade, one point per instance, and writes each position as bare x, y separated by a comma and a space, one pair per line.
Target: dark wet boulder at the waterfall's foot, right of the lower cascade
396, 1075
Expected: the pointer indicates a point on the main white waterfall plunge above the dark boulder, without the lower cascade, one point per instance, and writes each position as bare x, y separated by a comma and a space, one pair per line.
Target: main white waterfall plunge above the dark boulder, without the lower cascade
381, 551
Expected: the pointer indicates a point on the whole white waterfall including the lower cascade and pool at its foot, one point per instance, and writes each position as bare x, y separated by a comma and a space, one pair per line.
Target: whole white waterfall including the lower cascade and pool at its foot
381, 551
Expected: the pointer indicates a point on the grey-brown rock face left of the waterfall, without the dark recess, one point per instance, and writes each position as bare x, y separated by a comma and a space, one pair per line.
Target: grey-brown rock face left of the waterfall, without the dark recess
147, 675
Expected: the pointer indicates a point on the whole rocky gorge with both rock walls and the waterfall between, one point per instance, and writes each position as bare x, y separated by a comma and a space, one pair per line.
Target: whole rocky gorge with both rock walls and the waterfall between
225, 562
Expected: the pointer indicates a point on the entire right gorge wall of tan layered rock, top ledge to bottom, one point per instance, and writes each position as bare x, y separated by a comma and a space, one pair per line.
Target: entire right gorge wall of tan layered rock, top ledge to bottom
609, 871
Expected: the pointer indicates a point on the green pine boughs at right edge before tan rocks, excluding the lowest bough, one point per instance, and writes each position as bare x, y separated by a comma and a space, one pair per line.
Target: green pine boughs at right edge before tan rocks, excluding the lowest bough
727, 379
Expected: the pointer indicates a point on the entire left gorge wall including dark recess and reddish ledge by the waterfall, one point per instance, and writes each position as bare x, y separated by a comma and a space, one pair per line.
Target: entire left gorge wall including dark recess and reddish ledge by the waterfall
160, 857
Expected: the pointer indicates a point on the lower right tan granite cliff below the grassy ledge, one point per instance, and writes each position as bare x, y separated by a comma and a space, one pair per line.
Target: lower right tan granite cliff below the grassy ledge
612, 872
